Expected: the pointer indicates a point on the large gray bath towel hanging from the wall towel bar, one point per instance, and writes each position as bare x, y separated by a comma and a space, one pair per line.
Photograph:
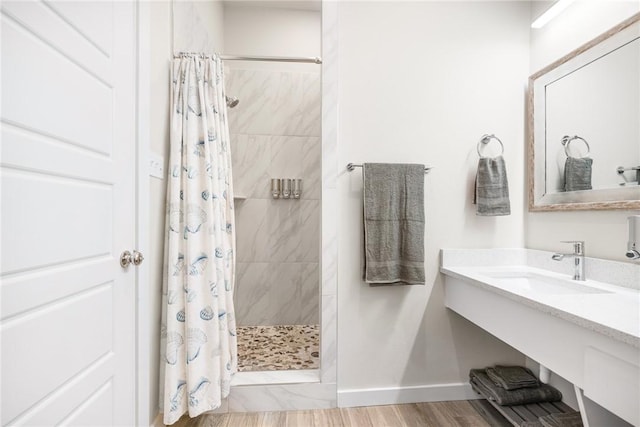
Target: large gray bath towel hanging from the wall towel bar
394, 223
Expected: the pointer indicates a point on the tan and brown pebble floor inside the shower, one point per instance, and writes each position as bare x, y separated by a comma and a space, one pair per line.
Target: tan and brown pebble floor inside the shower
278, 348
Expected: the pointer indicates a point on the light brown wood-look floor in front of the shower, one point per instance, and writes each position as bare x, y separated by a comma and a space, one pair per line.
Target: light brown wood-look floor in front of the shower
437, 414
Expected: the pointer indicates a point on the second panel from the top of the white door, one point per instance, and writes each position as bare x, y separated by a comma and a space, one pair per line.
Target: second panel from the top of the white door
51, 94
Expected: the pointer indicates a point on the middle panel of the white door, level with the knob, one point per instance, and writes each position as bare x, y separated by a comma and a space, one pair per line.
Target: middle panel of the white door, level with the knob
84, 227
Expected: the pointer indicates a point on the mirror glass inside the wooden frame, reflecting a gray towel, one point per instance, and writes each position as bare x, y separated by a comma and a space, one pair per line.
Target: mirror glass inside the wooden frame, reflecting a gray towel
593, 124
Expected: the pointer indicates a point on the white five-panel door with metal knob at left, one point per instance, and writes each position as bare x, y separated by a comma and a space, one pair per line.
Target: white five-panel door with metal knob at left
67, 191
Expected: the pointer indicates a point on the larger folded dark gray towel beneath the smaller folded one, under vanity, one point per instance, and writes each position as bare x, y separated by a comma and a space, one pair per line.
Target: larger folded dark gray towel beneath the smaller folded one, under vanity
522, 396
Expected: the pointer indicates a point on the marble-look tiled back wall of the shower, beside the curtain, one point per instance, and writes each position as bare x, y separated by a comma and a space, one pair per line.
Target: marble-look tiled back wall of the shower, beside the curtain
275, 133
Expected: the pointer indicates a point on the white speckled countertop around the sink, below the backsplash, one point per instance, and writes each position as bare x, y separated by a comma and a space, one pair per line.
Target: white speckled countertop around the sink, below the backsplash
610, 309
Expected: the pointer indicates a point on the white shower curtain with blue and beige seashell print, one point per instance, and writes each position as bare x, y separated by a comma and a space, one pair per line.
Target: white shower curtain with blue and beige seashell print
199, 351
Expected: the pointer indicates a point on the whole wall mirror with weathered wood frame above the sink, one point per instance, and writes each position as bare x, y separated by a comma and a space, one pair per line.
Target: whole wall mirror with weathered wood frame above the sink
584, 125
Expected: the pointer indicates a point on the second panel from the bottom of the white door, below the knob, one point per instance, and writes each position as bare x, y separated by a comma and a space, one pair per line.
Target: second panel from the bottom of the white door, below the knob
47, 349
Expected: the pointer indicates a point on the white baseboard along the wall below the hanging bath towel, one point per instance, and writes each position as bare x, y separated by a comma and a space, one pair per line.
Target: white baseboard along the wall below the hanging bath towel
412, 394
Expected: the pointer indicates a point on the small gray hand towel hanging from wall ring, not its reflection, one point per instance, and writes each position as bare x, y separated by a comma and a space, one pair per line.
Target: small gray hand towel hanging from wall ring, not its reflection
492, 188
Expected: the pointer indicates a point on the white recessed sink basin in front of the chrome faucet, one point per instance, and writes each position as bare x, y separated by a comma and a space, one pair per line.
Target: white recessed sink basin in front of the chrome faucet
533, 282
